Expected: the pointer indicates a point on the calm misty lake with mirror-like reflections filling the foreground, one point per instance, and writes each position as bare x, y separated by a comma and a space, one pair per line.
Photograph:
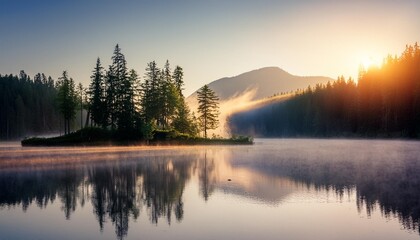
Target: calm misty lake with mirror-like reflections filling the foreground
274, 189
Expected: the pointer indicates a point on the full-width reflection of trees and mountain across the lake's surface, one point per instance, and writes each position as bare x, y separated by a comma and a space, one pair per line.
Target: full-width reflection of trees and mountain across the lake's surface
125, 185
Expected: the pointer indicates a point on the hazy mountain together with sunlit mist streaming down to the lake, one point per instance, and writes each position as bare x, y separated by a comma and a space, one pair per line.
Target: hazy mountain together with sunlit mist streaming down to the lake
253, 90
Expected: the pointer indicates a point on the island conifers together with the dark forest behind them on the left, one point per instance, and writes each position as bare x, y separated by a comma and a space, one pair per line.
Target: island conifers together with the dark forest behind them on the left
116, 101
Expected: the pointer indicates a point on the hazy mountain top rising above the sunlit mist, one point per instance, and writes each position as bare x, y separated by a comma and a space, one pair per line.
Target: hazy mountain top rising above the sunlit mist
264, 82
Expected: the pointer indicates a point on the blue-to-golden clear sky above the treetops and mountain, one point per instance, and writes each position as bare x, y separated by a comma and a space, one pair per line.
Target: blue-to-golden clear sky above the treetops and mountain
209, 39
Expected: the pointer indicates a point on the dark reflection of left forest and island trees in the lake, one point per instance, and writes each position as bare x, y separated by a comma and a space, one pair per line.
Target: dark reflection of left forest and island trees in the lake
117, 190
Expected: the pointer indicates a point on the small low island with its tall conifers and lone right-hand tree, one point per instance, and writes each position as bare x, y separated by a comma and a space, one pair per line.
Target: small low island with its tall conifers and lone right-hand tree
122, 110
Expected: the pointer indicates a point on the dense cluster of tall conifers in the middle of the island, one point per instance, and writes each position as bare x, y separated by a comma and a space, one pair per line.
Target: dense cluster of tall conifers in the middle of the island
119, 101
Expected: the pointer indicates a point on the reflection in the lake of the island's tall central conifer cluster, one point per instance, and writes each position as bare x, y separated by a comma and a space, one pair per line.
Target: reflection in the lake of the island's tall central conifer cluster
119, 192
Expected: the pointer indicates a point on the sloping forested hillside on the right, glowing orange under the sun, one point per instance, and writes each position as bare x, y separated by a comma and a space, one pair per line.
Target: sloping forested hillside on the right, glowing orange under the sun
384, 103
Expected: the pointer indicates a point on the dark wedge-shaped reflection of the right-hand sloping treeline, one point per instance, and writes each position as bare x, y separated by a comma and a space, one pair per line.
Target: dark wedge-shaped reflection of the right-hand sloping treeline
391, 184
